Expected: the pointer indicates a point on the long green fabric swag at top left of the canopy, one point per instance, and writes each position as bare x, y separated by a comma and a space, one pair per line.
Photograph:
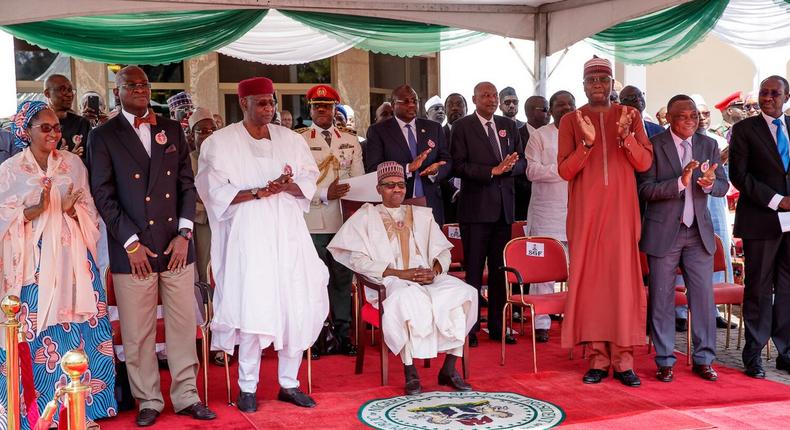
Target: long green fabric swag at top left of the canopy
140, 38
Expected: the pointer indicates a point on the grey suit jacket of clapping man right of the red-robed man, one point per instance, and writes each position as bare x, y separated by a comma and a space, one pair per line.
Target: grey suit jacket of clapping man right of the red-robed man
659, 188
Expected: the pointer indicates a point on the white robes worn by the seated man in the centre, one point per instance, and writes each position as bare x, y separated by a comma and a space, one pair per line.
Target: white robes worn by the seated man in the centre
428, 318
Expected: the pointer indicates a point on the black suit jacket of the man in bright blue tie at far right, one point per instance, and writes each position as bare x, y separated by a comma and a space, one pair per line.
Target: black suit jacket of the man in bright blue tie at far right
756, 171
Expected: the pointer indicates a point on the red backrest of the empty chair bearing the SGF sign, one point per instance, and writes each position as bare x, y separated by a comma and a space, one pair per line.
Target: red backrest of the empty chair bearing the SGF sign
537, 259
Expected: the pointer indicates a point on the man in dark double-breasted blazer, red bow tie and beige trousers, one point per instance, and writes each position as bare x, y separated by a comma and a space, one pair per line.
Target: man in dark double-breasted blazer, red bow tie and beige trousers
141, 181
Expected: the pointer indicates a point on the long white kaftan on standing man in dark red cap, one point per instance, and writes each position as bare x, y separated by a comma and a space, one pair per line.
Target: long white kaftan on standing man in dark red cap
270, 280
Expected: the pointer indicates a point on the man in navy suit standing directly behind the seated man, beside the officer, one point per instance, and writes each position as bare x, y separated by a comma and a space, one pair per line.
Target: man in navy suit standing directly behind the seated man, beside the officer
416, 143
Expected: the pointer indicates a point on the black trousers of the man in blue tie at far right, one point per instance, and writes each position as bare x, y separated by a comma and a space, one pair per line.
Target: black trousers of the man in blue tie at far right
766, 300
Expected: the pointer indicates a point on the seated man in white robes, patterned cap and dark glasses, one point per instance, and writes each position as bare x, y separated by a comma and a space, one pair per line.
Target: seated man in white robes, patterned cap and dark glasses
402, 247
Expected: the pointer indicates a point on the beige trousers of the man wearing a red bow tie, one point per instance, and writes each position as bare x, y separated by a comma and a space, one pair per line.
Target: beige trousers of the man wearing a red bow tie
137, 299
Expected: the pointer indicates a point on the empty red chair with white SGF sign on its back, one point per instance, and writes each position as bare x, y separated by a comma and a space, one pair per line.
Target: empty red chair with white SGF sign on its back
525, 264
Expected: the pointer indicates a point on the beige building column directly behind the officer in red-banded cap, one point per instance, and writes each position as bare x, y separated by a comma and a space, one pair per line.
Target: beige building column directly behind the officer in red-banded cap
351, 76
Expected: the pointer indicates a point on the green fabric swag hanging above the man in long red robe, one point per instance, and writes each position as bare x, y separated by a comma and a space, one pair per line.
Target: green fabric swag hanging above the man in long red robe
661, 35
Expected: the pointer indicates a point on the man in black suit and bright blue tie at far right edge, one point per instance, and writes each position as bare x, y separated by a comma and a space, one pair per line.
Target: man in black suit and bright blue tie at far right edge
759, 163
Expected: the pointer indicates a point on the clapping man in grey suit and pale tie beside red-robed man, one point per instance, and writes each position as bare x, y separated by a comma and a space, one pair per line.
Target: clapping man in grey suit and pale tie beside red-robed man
677, 232
